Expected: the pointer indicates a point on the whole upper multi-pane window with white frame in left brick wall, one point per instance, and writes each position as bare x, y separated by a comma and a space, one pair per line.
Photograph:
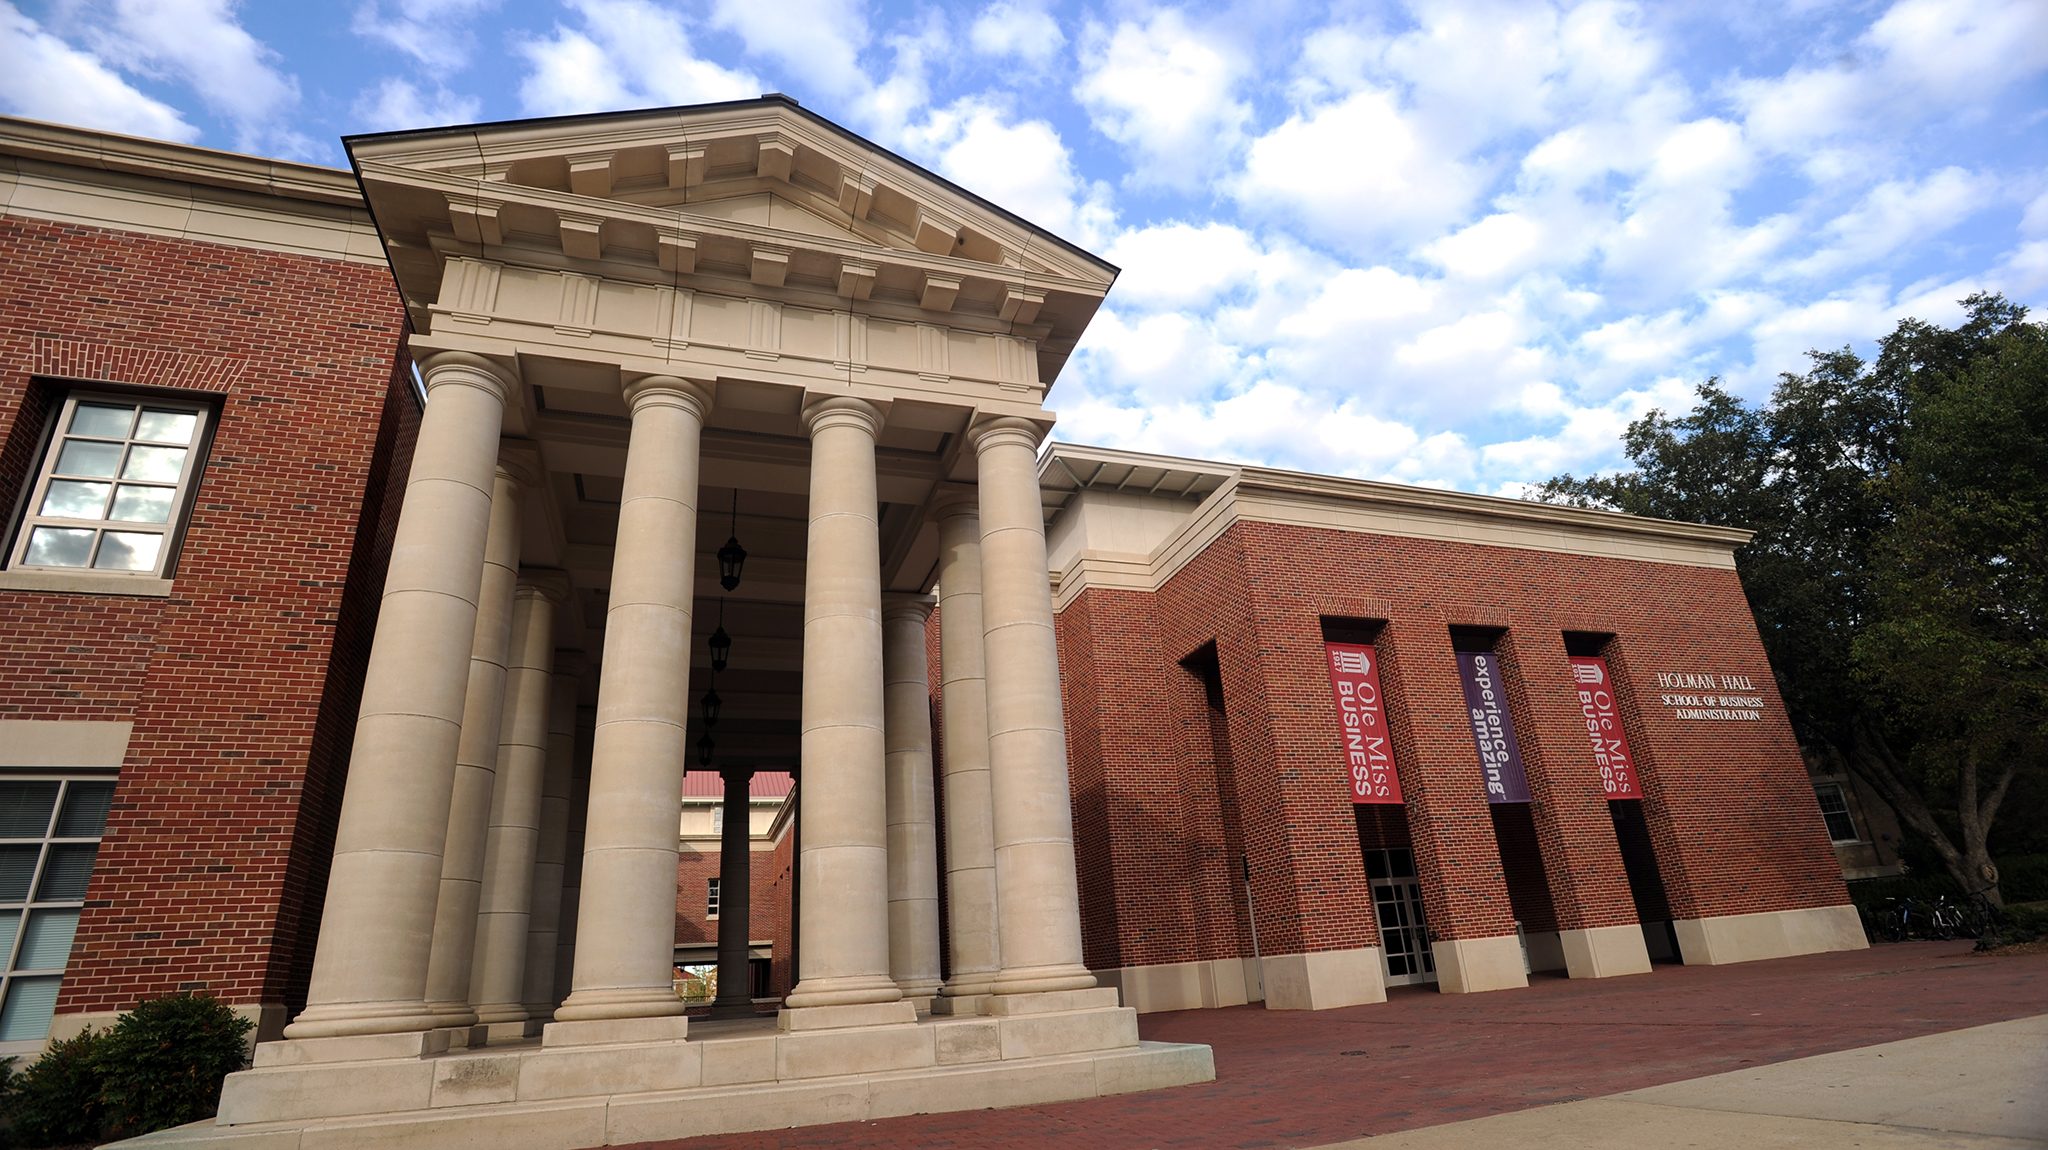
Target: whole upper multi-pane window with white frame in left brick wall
112, 486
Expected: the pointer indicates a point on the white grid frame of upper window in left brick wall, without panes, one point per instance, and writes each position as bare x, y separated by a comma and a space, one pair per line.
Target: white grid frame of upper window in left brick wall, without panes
46, 472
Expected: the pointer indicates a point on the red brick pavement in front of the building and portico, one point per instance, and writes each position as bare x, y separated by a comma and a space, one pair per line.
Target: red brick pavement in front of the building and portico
1424, 1059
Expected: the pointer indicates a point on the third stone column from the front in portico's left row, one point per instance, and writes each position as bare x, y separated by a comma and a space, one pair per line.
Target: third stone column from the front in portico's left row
505, 912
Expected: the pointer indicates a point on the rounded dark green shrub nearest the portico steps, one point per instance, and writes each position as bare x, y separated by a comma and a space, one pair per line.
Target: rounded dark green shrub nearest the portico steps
165, 1061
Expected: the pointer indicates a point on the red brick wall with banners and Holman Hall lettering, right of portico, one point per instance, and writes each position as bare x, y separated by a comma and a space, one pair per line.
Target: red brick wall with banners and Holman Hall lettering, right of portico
1730, 807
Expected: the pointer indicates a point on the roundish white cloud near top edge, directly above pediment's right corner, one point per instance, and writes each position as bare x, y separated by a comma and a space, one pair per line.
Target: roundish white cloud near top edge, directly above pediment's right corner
1164, 91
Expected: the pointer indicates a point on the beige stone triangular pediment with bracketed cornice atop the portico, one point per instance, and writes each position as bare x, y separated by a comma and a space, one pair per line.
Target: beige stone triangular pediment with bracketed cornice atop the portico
755, 191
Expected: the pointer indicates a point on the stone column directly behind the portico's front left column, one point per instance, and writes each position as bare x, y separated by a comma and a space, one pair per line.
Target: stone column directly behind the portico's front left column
476, 760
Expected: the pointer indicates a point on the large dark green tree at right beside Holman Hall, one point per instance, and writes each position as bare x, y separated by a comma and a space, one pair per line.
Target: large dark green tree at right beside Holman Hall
1900, 556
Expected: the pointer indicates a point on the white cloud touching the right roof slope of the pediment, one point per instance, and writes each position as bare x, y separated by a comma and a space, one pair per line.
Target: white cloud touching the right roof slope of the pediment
1019, 165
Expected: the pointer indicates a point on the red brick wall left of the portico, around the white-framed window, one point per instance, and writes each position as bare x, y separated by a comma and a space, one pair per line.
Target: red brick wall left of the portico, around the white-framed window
241, 709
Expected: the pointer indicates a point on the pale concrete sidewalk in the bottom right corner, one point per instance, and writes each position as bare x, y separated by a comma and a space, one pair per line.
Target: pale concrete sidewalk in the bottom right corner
1981, 1088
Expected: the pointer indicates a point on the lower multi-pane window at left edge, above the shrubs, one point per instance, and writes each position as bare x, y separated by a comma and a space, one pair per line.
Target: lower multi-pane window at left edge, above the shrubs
50, 836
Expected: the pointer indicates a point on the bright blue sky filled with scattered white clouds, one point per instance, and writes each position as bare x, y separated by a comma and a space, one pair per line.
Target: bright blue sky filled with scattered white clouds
1437, 242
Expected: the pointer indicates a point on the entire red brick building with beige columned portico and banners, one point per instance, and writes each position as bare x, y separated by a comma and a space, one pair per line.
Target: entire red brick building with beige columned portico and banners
1269, 682
